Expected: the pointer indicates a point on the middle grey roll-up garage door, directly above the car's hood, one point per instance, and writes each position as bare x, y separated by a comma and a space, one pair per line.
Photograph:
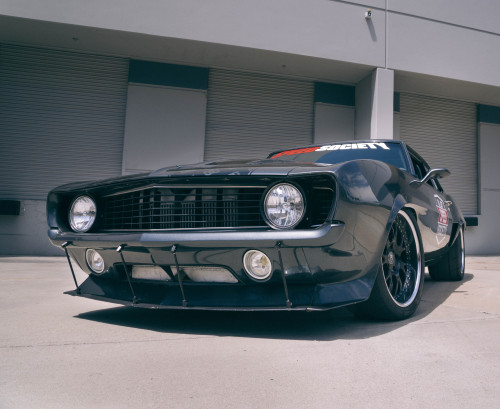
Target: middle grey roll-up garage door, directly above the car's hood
251, 115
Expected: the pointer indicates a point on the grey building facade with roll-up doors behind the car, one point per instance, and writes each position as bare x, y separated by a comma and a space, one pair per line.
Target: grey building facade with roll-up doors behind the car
103, 88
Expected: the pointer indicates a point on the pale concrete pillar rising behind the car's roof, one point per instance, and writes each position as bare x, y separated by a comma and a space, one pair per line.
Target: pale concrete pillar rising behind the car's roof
375, 106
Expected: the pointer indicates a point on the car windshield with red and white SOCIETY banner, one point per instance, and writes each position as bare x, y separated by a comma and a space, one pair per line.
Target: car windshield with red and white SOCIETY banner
342, 152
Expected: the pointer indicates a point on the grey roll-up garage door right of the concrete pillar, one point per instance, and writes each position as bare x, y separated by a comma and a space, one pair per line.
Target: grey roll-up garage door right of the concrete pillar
444, 132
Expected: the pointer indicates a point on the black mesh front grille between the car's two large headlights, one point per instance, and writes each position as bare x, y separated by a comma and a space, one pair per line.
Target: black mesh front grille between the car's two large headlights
164, 208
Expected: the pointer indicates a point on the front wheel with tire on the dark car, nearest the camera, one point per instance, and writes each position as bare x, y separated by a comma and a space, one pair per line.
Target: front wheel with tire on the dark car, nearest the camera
398, 287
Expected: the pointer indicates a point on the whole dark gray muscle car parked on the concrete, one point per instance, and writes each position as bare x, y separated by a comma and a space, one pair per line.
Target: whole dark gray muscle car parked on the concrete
309, 228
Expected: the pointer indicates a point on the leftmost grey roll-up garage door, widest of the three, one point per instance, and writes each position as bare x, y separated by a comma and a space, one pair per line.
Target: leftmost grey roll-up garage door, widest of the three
61, 118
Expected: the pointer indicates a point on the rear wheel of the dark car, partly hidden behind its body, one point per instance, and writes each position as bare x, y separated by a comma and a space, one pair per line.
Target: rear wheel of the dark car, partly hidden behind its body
452, 266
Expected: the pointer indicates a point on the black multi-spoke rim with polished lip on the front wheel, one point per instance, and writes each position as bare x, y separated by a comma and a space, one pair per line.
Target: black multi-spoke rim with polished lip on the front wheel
401, 261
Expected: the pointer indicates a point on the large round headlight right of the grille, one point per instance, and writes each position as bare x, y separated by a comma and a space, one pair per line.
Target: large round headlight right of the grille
284, 206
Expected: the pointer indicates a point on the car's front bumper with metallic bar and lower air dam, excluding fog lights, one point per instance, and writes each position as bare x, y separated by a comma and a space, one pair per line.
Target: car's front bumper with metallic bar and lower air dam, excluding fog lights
310, 271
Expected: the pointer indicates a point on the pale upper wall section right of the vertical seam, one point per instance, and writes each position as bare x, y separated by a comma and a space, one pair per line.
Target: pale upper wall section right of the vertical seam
426, 46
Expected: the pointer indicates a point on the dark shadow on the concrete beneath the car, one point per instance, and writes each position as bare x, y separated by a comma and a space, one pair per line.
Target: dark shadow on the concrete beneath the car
340, 323
